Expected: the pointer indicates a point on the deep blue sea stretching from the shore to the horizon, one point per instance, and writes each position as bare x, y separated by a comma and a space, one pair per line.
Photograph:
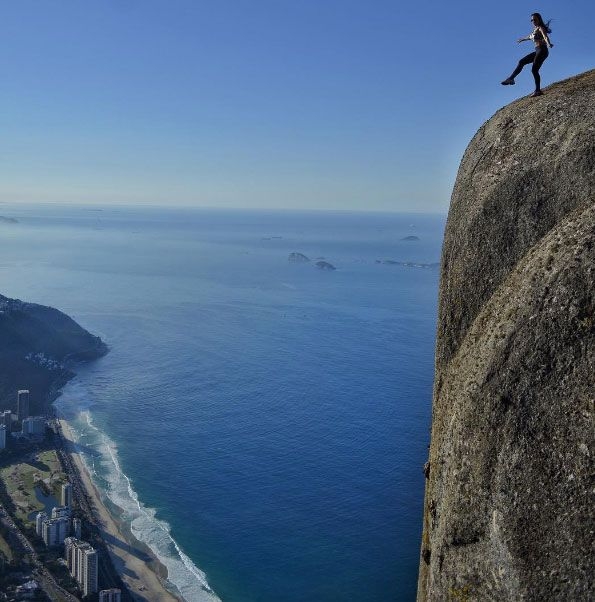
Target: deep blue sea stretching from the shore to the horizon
263, 424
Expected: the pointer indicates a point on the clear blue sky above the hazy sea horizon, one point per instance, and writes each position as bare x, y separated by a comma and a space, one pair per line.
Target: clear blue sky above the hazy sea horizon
331, 104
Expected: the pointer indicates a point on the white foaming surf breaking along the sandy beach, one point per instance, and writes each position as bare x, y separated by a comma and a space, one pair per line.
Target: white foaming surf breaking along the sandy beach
106, 472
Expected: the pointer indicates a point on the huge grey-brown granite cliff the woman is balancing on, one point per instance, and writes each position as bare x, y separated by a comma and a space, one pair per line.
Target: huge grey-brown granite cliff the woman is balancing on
510, 494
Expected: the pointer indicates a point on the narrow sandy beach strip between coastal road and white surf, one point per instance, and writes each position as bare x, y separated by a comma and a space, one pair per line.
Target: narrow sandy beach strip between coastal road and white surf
137, 565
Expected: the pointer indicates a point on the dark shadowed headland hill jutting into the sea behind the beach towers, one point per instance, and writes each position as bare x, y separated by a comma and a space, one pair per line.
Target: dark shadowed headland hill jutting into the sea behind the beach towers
37, 345
